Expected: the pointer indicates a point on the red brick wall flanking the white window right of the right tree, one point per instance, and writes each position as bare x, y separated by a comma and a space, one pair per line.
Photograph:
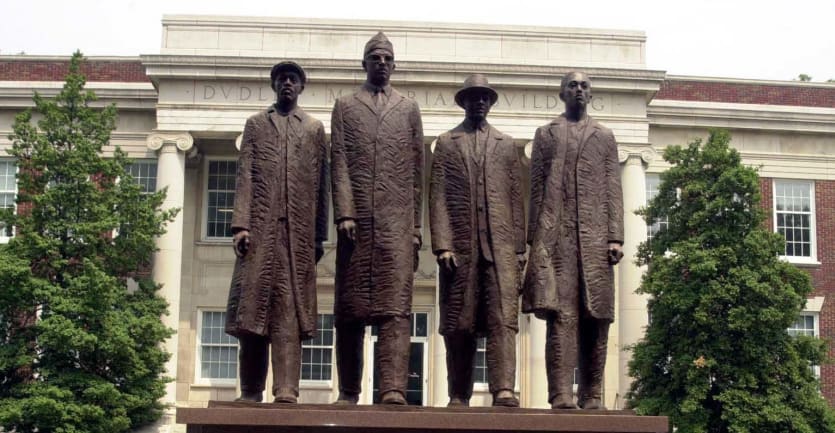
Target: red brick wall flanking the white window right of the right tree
823, 276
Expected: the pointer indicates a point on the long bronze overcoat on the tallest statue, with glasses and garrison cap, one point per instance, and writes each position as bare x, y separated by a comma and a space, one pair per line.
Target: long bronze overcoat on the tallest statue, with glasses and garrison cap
377, 174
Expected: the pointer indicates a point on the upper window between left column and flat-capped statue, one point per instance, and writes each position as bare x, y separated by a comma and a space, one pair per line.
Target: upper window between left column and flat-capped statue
220, 198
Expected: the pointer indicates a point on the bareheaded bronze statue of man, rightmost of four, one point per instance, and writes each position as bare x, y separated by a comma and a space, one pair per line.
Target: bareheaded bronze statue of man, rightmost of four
576, 233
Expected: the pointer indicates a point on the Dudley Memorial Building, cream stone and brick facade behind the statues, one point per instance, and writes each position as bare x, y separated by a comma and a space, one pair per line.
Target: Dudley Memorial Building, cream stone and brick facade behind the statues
182, 111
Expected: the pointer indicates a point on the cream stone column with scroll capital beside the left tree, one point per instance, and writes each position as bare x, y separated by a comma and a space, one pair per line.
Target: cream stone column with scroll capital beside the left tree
171, 148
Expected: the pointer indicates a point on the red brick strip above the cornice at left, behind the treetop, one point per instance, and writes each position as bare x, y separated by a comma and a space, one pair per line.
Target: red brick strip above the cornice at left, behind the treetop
125, 71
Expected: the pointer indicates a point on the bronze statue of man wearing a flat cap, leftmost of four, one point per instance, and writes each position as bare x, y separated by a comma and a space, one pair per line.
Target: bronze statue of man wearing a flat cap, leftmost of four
279, 224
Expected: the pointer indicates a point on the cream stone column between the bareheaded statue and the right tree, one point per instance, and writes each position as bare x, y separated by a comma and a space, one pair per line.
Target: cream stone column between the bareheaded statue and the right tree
632, 308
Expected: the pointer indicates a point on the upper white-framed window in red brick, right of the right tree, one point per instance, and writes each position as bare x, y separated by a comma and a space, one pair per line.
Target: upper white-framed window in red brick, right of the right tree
794, 218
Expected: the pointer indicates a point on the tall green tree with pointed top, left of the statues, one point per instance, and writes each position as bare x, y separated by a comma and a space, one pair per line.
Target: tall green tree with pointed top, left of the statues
79, 350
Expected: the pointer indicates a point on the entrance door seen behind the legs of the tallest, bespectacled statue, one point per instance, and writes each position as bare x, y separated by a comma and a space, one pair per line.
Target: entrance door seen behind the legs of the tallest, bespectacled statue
418, 362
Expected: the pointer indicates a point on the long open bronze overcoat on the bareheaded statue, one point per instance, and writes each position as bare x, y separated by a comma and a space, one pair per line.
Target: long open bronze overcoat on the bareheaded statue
599, 218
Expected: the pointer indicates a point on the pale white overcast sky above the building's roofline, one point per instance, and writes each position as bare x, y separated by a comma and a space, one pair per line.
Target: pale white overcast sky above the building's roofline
750, 39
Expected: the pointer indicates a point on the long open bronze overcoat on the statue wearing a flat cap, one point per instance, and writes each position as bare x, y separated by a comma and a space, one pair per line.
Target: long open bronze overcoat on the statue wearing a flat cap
258, 203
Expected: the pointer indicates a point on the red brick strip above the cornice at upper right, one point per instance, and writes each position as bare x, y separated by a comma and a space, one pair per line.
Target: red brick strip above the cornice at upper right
795, 94
